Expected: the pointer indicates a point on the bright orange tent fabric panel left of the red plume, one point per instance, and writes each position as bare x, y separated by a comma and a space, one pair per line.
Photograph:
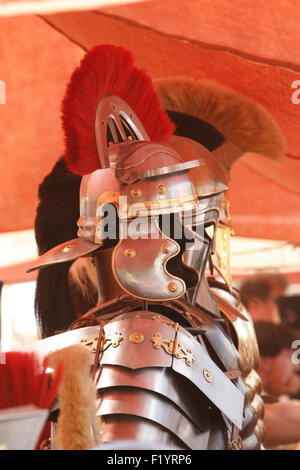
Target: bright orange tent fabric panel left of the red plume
35, 64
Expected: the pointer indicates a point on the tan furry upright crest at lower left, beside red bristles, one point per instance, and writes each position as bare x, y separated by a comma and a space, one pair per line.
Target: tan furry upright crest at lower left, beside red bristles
77, 398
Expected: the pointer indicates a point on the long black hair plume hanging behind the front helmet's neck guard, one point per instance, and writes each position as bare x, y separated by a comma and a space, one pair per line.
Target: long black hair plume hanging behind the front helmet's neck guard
57, 302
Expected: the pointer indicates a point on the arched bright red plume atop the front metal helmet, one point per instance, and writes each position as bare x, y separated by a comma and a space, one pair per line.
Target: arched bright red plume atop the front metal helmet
107, 69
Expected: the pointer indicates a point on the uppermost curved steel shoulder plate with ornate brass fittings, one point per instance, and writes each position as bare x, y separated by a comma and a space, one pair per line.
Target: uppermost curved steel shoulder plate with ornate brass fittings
147, 343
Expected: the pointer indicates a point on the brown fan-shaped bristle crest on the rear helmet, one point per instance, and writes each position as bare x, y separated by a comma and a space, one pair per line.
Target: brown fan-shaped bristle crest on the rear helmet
244, 124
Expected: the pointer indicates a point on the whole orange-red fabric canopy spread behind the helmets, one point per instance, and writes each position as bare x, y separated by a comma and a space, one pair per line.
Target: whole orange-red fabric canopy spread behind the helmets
249, 46
